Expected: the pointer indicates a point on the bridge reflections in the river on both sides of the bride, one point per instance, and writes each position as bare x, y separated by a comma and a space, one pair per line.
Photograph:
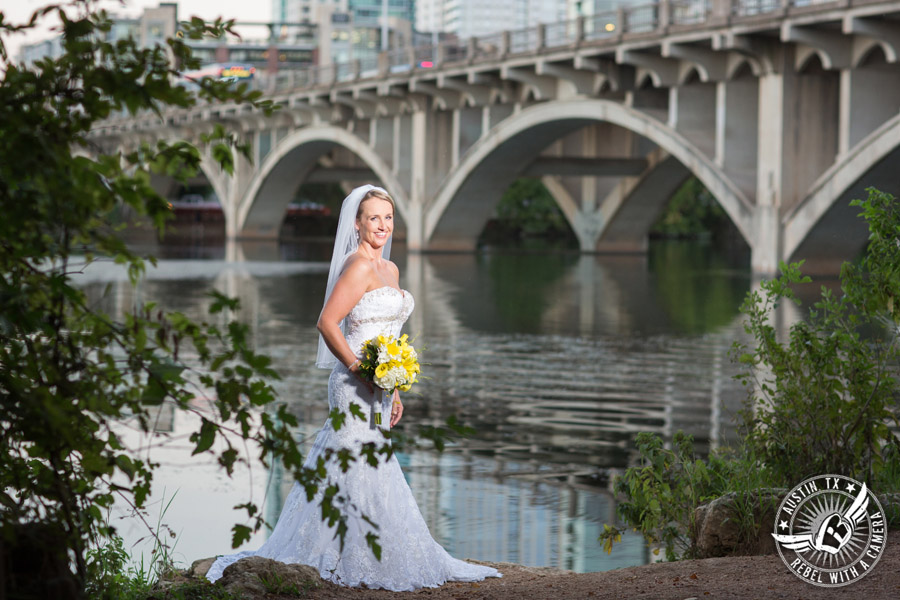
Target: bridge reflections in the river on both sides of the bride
593, 359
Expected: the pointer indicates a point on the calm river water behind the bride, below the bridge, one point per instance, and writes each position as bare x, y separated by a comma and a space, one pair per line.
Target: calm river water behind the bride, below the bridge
557, 360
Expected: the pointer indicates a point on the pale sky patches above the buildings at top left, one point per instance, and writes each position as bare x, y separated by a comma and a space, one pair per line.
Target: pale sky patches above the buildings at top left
19, 11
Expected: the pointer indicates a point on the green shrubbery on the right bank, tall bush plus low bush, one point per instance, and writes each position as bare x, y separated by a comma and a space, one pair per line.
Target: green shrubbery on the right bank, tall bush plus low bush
822, 399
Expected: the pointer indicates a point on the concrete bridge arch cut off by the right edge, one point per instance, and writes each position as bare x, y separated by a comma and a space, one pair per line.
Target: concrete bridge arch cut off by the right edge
824, 214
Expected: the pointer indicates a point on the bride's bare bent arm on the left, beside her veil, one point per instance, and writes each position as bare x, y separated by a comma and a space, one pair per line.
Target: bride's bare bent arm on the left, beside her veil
348, 290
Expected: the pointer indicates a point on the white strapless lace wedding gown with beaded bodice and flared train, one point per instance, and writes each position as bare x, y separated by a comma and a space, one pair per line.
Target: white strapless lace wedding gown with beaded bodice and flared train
410, 557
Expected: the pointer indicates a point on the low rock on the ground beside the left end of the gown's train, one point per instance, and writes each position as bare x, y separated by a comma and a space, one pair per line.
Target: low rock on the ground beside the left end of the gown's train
257, 576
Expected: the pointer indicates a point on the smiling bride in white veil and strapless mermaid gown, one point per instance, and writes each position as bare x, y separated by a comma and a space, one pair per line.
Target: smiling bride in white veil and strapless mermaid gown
362, 300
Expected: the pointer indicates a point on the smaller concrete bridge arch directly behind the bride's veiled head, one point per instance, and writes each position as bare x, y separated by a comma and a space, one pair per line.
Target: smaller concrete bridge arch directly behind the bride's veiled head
287, 165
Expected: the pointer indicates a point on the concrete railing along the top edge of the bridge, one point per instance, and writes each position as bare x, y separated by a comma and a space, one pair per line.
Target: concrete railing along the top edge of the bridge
643, 18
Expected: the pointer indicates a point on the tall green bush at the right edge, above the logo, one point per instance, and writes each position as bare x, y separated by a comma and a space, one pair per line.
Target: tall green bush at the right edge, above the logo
823, 399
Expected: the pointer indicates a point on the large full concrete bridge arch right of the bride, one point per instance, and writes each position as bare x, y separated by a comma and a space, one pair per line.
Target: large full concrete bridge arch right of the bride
491, 164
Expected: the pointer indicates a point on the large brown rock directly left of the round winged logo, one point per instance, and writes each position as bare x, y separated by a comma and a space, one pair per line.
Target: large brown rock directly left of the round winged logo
738, 523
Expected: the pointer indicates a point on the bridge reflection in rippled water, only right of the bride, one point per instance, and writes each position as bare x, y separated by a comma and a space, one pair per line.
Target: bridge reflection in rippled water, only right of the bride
603, 366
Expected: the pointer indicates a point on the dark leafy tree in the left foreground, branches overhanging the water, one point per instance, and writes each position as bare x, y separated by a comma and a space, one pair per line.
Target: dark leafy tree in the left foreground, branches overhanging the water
68, 373
